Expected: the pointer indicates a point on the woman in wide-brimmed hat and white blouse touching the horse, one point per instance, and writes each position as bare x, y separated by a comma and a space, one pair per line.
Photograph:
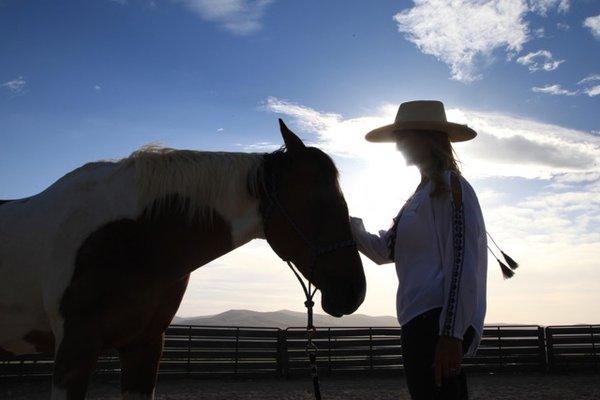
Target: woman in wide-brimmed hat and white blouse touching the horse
438, 243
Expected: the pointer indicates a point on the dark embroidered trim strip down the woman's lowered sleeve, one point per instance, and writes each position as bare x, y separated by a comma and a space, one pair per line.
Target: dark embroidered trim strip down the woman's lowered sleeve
458, 241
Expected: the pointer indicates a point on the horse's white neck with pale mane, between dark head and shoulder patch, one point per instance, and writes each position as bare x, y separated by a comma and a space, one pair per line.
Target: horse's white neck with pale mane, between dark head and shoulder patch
227, 194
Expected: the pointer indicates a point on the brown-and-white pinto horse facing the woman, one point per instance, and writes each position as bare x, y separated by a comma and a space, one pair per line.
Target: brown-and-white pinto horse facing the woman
102, 257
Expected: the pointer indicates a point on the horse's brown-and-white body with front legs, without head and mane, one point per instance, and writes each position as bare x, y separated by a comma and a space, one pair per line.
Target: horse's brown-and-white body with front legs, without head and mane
90, 264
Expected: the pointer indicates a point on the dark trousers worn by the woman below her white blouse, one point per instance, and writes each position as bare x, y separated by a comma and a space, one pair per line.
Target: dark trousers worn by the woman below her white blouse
419, 340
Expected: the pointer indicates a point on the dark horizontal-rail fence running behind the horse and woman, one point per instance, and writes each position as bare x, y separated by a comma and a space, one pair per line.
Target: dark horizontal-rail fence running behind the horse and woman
244, 351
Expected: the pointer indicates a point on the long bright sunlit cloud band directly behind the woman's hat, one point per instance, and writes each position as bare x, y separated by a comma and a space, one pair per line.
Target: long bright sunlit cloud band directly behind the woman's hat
505, 146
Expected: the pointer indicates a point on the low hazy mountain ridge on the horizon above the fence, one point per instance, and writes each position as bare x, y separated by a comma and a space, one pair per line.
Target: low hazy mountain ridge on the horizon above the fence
283, 319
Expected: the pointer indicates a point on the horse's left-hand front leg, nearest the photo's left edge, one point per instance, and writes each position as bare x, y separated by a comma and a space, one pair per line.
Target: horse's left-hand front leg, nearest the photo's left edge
74, 362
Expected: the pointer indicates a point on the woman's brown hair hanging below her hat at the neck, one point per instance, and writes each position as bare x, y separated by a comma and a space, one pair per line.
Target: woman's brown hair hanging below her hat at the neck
443, 157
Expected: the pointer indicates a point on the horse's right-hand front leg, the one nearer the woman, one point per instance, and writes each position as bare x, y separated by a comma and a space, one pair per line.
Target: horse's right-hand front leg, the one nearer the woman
139, 366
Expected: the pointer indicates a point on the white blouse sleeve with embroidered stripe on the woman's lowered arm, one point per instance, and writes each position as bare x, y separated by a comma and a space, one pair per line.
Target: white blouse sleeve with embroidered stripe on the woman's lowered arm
458, 231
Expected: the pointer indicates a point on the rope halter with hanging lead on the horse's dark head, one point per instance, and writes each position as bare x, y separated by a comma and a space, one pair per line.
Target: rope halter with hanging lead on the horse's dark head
309, 291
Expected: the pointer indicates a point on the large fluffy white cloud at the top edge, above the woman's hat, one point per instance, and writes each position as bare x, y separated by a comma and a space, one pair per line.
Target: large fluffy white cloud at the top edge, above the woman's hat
464, 33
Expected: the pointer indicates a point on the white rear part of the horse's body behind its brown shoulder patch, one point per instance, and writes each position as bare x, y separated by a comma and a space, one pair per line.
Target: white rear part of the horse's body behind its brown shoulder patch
40, 236
